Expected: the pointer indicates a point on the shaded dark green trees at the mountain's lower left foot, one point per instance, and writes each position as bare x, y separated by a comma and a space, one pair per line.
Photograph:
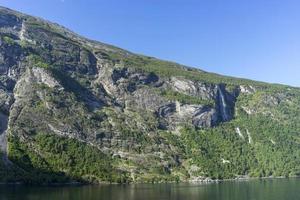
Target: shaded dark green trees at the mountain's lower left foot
56, 159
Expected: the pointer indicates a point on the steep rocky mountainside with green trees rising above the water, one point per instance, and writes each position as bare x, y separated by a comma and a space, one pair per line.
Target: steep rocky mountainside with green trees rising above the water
74, 109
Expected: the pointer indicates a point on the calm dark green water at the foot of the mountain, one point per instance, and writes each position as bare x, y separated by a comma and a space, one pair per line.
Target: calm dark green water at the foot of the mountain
271, 189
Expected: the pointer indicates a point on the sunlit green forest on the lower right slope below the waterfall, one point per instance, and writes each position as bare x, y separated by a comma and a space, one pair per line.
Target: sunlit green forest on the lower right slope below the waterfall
262, 158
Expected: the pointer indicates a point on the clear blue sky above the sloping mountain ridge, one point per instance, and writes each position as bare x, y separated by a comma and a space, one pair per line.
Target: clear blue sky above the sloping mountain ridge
254, 39
